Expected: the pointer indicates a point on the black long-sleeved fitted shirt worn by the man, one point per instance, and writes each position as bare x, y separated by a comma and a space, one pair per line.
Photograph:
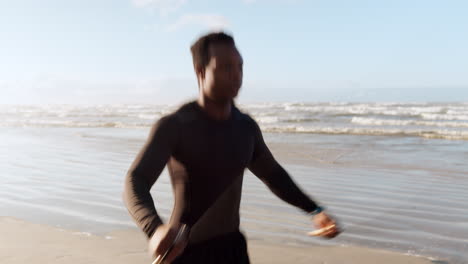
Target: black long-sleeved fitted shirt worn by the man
206, 159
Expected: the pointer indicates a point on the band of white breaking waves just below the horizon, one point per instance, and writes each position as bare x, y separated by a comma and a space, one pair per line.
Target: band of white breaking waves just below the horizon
428, 120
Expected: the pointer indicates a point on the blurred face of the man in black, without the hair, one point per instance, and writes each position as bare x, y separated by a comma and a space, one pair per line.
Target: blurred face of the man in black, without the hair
223, 74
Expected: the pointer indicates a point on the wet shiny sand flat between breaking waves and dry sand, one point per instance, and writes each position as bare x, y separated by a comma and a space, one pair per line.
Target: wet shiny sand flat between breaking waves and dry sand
404, 195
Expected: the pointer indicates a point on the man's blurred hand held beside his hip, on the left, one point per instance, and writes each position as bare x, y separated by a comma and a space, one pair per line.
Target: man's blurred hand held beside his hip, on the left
162, 240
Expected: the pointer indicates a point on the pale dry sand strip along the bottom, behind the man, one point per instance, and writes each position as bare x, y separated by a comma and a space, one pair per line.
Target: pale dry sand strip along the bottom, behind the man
24, 242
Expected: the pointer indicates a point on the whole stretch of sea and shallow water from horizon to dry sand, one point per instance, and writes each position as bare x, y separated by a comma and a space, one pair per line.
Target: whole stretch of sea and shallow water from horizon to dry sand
394, 174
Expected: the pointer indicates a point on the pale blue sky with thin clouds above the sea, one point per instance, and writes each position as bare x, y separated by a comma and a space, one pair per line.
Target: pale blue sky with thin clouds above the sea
137, 51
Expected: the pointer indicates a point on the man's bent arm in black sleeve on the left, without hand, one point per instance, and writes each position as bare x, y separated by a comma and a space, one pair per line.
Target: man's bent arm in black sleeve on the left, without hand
144, 172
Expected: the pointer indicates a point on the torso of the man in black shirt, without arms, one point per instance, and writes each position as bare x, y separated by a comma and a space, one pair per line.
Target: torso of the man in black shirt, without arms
206, 169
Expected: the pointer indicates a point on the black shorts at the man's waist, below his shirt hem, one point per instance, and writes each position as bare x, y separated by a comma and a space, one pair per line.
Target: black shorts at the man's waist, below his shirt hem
229, 248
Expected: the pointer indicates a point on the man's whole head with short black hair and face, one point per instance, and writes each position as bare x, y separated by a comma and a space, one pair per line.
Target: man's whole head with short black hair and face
218, 66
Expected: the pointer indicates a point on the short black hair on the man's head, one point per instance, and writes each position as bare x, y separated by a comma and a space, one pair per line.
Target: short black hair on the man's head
200, 49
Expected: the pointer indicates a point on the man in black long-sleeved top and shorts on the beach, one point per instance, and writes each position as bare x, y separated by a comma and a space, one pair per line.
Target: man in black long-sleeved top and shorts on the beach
207, 144
